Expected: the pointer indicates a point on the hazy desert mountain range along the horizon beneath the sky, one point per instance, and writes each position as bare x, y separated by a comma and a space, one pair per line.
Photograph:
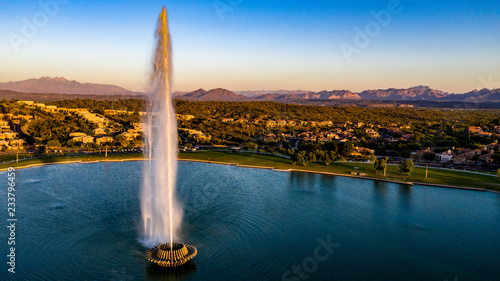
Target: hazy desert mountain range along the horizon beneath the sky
59, 85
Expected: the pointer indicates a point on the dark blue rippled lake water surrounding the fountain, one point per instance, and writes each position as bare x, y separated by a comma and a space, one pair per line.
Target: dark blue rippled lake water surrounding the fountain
79, 222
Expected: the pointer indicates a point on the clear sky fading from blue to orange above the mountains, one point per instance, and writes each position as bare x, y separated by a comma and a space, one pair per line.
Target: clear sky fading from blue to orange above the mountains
240, 45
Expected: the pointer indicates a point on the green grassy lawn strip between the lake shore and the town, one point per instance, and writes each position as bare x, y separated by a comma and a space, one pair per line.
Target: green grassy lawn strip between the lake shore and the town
435, 176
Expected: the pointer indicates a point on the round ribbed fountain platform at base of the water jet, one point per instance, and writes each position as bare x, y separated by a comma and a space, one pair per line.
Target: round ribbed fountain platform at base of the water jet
174, 256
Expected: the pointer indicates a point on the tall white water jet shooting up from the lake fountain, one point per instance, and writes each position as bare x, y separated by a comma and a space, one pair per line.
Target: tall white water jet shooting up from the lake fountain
161, 215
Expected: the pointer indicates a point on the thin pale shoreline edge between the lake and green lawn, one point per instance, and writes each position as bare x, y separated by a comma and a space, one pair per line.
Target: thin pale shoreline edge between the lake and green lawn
260, 167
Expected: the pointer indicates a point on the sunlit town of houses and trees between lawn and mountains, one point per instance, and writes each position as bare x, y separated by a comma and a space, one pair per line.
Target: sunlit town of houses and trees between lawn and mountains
465, 140
